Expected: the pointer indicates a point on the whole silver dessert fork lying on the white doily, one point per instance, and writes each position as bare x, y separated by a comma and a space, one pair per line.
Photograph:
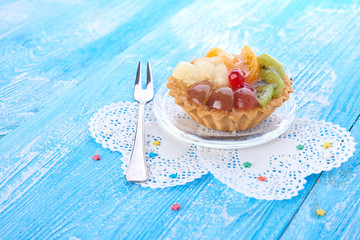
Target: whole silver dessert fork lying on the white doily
137, 169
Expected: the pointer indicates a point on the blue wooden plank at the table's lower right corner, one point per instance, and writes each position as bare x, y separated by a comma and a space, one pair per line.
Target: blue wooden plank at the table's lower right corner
337, 192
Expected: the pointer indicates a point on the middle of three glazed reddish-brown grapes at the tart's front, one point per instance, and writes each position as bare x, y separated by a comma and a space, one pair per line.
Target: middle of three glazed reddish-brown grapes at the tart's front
222, 99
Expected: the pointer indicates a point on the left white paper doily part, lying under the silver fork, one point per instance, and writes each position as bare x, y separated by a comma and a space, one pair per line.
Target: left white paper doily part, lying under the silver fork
114, 127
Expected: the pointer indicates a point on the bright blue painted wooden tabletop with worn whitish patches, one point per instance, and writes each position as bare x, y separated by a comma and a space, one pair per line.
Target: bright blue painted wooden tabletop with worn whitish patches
60, 61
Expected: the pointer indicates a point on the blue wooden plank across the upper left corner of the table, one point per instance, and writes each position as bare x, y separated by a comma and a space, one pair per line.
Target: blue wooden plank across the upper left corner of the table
53, 51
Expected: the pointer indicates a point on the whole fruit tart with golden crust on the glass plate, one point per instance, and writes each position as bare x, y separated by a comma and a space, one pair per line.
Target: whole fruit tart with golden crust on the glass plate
230, 92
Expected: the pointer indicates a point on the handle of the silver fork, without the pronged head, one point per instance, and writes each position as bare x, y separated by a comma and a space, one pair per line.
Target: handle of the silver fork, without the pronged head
137, 169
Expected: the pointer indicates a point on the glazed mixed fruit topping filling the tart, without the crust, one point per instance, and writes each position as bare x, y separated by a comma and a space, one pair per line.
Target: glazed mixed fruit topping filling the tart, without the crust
225, 82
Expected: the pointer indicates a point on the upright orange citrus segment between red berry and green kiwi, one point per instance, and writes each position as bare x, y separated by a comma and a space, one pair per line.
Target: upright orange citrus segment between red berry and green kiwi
249, 63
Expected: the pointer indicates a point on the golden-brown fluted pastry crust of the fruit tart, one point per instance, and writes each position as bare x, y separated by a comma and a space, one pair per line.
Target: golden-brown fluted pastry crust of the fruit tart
237, 119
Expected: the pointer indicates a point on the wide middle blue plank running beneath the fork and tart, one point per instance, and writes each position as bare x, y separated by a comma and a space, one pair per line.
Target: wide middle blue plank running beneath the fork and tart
49, 186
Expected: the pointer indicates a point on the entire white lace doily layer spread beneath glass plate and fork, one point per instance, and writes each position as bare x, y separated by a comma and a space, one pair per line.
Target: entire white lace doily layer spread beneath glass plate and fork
279, 162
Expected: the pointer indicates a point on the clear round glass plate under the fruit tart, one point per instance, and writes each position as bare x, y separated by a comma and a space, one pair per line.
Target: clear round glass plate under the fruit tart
177, 122
